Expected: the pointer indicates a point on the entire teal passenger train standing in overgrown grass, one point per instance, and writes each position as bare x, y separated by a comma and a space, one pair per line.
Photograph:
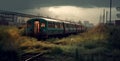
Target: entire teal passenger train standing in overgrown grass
45, 27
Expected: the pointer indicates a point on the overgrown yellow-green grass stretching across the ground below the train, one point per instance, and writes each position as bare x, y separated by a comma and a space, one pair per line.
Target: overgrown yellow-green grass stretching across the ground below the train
95, 41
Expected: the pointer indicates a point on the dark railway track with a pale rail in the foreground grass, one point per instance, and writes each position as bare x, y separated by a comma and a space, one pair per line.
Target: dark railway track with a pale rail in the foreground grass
34, 56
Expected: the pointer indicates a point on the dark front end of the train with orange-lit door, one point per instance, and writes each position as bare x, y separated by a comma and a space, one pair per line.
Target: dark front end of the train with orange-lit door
36, 27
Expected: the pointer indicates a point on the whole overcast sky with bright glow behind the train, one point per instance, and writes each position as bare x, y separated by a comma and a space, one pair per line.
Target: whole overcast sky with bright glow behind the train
68, 9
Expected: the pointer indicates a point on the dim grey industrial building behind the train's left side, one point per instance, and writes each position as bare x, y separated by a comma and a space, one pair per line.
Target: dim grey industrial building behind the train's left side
13, 18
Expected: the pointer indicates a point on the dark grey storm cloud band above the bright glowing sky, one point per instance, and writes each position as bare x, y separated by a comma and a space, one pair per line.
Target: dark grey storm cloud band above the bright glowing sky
29, 4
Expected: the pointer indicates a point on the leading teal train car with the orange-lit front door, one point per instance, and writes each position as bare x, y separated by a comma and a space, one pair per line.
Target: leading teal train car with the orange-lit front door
44, 27
